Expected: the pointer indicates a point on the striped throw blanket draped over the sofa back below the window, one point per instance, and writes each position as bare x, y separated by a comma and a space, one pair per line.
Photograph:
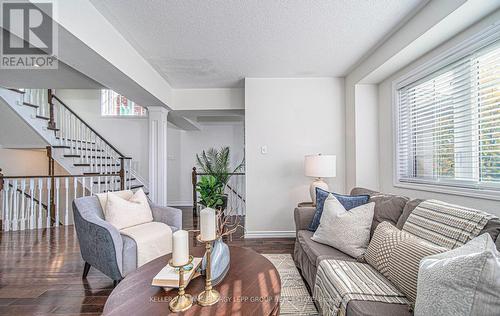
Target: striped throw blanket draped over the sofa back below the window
444, 224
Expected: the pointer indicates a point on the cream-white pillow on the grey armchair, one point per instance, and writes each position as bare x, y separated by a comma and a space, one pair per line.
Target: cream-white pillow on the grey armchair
123, 213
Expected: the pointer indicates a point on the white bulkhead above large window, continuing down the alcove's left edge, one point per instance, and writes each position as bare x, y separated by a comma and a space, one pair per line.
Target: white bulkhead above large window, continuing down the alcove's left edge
435, 22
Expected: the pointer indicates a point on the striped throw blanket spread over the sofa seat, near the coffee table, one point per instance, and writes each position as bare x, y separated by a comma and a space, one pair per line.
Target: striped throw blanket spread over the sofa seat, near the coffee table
338, 282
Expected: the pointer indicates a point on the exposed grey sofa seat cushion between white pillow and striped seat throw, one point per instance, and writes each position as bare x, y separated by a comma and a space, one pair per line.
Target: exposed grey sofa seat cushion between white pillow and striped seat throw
315, 250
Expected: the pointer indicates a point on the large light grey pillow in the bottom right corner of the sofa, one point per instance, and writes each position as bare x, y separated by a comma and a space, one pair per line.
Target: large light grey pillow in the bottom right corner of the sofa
462, 281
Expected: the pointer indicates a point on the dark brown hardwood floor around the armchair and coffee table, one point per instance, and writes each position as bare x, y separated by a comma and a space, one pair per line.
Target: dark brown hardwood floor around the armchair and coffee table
40, 271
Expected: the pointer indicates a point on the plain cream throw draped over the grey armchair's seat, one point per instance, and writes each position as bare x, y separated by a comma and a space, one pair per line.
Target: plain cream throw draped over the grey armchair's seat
153, 240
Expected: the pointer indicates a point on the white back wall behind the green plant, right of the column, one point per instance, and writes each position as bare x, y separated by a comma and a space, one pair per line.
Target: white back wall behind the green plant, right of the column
183, 147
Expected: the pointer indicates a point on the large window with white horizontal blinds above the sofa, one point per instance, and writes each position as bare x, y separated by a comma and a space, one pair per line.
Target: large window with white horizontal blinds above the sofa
448, 123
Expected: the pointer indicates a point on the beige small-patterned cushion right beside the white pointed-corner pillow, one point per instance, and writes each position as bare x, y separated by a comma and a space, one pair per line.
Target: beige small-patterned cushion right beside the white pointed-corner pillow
384, 240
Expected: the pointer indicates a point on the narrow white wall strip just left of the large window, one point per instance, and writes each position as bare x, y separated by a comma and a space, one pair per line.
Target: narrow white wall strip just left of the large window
367, 136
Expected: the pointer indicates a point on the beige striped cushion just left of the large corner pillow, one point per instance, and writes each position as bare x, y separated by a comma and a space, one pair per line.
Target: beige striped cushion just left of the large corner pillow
404, 261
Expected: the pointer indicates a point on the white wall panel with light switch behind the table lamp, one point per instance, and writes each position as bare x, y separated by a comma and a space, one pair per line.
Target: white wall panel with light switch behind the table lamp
293, 118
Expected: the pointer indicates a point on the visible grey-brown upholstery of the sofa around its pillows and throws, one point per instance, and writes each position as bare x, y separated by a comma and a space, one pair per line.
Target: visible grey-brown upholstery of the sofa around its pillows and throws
394, 209
